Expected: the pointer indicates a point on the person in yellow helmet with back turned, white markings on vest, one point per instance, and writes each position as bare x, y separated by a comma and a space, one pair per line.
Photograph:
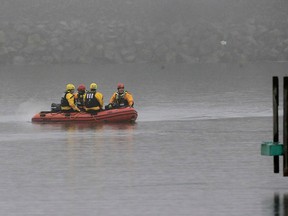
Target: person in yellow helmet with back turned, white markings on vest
93, 99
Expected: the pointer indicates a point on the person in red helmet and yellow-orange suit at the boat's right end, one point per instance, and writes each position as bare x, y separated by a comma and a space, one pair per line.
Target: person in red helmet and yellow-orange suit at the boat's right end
120, 98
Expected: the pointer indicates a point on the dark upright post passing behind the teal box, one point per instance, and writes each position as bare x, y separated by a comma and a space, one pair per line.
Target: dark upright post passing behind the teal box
275, 120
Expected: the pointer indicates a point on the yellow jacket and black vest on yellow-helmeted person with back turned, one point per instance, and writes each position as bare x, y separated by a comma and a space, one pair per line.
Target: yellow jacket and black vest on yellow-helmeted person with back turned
93, 101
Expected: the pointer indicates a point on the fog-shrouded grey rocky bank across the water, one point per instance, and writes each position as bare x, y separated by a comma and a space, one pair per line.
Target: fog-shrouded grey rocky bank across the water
151, 31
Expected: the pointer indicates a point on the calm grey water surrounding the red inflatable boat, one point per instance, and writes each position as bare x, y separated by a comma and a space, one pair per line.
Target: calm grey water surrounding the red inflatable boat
194, 150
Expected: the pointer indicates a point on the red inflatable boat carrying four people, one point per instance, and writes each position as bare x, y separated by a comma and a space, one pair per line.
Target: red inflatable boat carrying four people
126, 114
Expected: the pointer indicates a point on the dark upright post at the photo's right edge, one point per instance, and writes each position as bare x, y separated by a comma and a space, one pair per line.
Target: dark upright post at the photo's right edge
285, 127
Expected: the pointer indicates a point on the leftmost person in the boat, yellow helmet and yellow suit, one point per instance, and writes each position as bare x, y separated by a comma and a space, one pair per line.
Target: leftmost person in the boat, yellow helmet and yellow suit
68, 100
